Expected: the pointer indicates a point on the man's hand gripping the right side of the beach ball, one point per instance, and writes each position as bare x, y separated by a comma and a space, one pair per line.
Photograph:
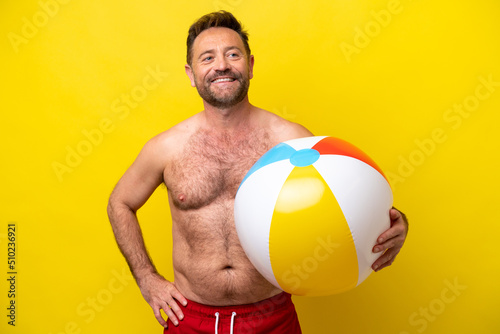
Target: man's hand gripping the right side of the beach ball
391, 241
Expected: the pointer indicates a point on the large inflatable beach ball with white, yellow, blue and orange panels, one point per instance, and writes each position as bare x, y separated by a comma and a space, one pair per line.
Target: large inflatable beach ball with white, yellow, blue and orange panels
309, 212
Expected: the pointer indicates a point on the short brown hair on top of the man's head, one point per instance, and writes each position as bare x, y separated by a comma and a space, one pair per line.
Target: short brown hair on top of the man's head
216, 19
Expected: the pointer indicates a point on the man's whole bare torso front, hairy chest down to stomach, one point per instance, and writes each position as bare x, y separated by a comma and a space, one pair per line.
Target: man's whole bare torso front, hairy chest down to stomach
209, 264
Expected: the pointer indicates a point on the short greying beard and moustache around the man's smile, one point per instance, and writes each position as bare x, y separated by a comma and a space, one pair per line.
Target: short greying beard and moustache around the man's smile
227, 98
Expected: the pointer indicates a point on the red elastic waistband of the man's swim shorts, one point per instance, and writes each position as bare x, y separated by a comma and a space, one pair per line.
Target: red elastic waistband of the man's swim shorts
281, 301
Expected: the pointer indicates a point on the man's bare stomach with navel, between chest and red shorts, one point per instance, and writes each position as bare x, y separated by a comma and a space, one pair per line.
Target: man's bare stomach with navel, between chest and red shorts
210, 266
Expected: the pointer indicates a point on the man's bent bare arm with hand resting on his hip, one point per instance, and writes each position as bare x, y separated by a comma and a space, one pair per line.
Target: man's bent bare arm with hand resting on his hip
130, 193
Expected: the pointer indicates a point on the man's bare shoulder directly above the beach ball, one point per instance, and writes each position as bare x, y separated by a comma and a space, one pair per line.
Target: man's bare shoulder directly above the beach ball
282, 129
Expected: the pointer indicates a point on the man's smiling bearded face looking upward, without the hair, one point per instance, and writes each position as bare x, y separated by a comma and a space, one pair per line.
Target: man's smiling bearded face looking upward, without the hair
220, 70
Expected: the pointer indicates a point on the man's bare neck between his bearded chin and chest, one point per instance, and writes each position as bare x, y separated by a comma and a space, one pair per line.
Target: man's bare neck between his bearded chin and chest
231, 118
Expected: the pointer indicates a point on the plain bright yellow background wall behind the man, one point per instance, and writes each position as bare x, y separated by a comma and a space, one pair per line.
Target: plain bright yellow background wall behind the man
389, 94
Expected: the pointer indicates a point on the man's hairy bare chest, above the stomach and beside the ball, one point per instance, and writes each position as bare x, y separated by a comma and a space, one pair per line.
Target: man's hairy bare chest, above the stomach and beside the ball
212, 167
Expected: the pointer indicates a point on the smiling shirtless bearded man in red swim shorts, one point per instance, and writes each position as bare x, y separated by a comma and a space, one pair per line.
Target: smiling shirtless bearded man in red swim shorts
202, 161
